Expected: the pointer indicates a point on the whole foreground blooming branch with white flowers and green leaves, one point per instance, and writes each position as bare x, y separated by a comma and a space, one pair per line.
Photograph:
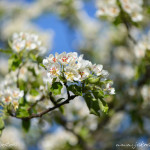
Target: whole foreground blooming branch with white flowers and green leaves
37, 80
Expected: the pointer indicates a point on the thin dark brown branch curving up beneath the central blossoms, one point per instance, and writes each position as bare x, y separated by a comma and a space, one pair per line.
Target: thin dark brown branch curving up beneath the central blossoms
45, 111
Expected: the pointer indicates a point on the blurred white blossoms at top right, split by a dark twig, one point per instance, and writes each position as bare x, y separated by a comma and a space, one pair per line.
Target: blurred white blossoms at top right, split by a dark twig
110, 8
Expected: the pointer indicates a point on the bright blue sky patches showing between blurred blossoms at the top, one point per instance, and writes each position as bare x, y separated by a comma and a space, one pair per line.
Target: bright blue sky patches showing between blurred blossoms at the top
63, 34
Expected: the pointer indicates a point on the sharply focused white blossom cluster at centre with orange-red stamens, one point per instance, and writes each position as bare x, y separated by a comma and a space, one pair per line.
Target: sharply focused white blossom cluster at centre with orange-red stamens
74, 68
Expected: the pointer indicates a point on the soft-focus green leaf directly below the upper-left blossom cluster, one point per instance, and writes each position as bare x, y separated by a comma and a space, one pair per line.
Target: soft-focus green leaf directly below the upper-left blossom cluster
14, 62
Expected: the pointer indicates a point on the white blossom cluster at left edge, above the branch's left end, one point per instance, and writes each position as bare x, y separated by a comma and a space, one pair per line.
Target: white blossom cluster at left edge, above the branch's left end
11, 96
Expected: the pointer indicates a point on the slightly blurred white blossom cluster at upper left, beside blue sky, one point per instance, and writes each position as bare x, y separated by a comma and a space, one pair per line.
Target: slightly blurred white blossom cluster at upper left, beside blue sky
26, 41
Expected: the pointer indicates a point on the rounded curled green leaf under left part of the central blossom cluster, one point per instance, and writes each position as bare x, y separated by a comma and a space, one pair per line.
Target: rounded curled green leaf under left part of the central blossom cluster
56, 88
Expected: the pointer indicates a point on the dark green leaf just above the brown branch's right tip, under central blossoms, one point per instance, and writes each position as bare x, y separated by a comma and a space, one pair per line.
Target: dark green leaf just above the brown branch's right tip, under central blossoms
77, 90
